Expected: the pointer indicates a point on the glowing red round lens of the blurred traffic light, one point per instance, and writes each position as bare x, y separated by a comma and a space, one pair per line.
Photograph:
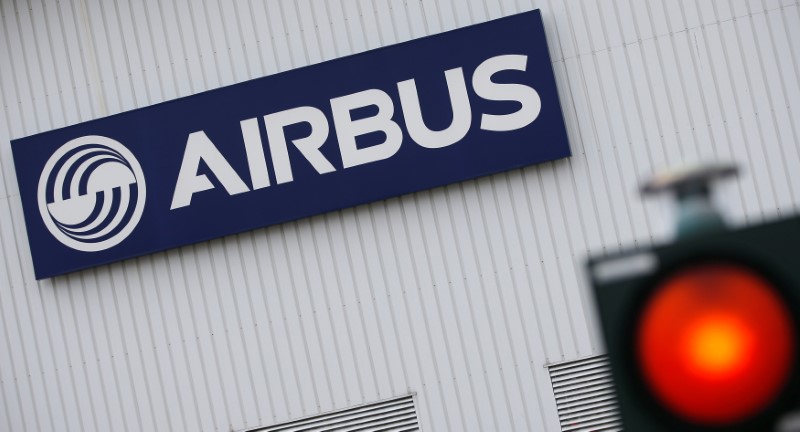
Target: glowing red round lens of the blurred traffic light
715, 344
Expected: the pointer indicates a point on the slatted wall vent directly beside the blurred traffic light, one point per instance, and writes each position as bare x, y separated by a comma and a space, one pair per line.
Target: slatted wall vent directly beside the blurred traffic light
585, 395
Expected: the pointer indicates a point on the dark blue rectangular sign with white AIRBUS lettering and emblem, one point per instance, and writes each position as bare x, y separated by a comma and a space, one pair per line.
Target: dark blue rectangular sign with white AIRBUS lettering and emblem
424, 113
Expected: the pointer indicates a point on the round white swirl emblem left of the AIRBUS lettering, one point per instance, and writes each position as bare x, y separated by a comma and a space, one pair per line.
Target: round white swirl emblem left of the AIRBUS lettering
91, 193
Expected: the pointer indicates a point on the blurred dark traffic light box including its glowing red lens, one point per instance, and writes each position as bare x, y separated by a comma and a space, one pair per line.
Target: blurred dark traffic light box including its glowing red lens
704, 333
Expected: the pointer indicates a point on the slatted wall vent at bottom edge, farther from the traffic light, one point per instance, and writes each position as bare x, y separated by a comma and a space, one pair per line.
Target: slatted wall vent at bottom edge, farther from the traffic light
393, 415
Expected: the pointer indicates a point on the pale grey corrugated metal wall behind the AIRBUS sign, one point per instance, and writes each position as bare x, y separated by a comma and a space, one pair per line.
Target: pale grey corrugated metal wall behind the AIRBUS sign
461, 294
